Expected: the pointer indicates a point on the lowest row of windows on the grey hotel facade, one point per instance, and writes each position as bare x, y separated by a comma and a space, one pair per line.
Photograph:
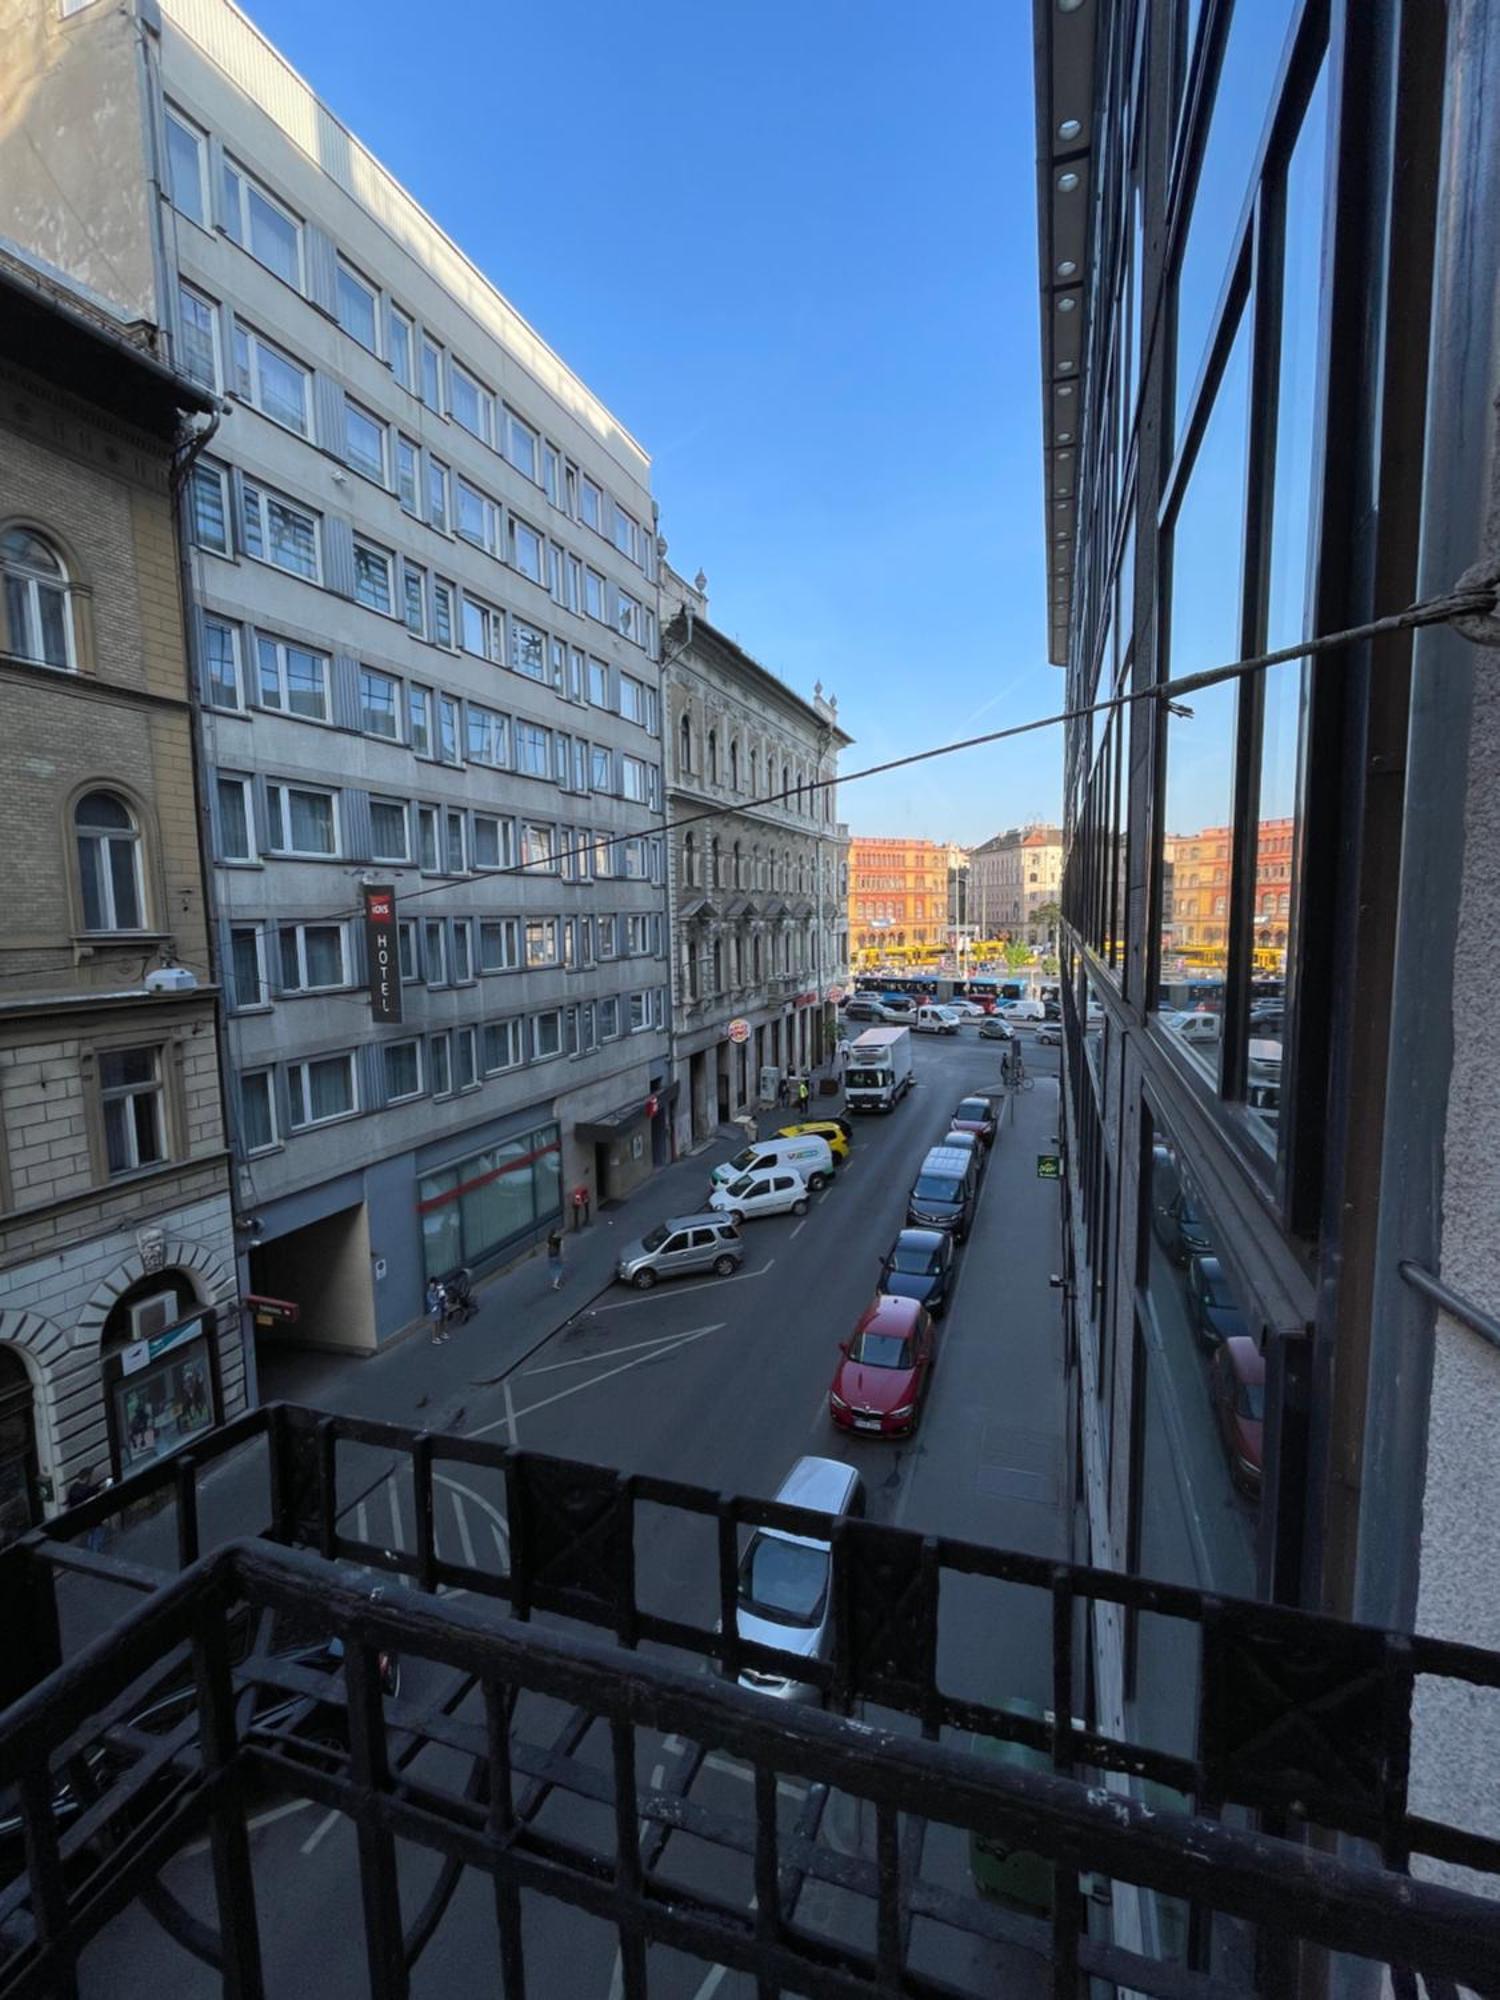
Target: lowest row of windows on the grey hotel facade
293, 1097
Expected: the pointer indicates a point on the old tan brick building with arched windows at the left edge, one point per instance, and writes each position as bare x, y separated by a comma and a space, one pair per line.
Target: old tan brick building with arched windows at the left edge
119, 1317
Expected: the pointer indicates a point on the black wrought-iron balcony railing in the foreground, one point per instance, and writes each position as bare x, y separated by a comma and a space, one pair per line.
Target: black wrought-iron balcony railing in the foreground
1303, 1733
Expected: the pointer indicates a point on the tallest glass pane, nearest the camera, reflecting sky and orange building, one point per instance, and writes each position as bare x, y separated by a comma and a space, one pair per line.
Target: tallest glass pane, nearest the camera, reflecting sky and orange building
1279, 823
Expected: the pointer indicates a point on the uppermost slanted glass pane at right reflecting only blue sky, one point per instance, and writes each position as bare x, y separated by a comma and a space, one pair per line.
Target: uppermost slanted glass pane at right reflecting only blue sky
1235, 129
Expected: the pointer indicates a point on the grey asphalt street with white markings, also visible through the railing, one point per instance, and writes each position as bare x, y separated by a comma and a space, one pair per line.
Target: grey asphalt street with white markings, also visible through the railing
719, 1383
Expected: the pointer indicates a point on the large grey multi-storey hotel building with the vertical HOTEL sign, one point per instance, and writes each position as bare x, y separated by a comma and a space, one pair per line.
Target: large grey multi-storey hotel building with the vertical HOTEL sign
425, 575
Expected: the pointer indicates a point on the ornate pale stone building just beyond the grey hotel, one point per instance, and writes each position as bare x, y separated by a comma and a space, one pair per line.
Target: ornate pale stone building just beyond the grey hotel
761, 883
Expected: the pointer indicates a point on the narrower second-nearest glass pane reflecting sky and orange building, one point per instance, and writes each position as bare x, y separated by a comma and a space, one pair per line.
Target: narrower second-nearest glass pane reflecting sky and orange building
1195, 881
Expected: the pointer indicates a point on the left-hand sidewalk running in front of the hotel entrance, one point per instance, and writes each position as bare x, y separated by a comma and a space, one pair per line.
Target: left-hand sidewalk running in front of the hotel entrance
413, 1383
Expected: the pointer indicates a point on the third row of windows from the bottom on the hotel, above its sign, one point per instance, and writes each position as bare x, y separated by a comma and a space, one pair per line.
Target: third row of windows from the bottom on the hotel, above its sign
293, 821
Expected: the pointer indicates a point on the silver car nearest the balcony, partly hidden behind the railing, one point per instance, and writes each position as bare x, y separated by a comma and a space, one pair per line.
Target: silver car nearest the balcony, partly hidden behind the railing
787, 1579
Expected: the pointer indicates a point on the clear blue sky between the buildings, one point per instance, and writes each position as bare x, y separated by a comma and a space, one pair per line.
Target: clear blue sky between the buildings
793, 247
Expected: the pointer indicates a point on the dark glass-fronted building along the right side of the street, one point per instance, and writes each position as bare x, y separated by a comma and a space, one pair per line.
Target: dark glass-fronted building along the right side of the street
1271, 371
